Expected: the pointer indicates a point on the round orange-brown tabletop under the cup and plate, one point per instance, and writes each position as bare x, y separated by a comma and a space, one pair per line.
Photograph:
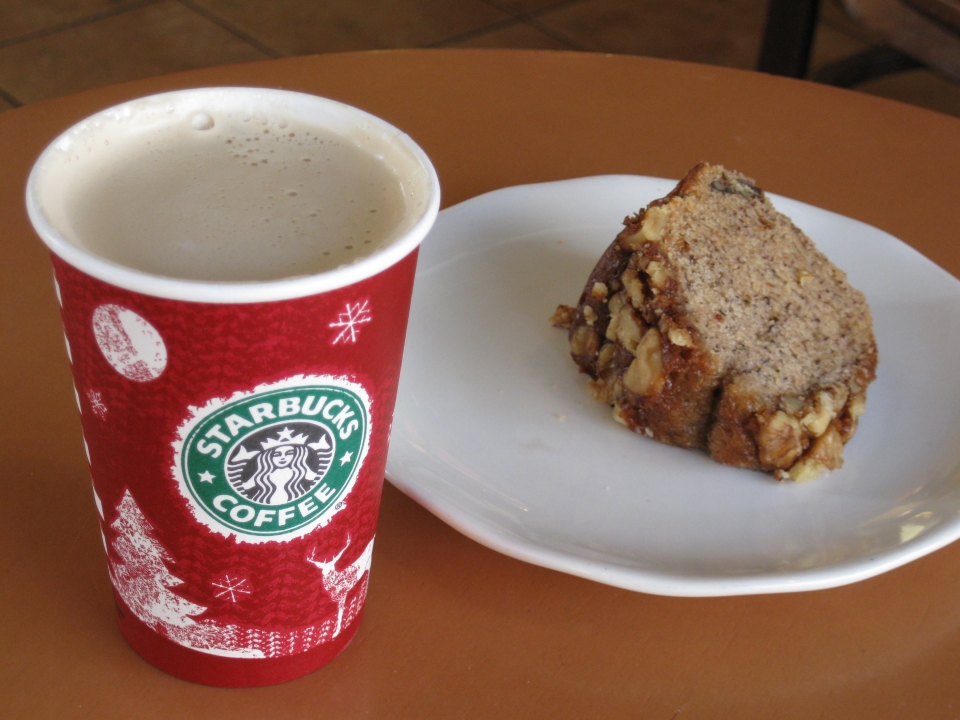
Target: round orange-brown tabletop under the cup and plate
453, 629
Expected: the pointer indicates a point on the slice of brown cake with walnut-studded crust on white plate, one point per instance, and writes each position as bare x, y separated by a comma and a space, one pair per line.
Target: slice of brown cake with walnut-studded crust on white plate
713, 322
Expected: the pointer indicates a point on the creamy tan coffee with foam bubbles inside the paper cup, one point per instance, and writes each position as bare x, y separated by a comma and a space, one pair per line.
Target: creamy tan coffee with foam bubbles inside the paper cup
220, 191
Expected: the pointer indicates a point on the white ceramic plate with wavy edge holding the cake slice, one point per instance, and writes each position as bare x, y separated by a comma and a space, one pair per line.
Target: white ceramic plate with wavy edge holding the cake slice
496, 433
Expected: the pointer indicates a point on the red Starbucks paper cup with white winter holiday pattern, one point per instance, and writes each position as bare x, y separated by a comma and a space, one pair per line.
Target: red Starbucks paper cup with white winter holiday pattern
236, 428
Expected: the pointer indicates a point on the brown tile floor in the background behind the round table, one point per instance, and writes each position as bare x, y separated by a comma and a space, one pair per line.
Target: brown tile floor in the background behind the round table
50, 48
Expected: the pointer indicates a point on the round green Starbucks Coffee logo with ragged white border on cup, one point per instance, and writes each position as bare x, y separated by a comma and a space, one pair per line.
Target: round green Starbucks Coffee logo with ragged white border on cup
275, 463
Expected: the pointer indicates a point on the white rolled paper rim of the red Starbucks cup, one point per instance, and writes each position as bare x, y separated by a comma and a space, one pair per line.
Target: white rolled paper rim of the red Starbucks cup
245, 291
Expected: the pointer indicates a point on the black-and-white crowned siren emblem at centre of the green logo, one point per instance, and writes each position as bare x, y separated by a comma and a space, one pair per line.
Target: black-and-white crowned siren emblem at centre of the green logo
282, 463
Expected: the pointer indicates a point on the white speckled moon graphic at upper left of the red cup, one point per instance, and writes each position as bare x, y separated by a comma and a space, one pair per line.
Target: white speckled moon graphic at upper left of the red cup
131, 345
